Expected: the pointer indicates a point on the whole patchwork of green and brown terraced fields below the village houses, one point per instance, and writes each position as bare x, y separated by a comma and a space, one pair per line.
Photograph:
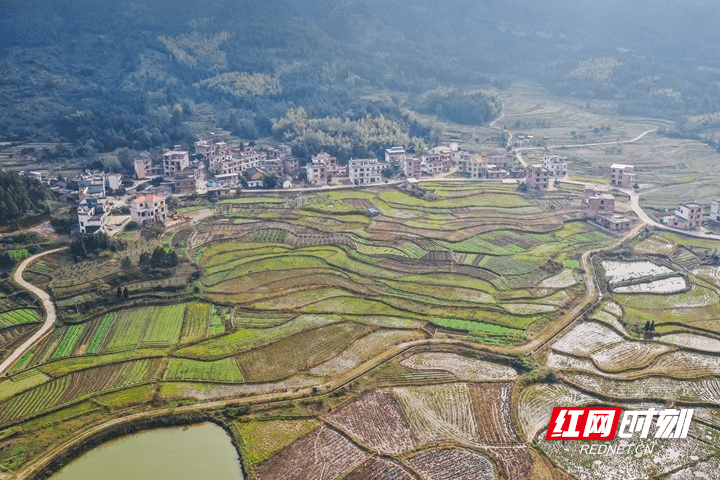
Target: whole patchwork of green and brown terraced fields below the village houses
334, 344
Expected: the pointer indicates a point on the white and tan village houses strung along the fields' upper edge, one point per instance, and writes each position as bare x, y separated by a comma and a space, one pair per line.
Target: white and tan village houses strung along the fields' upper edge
221, 168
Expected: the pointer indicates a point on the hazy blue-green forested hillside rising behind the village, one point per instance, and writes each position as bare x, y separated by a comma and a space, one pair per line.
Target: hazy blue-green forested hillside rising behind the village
133, 74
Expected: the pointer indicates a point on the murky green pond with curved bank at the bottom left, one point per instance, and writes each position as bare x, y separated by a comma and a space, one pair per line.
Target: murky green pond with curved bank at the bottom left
202, 451
